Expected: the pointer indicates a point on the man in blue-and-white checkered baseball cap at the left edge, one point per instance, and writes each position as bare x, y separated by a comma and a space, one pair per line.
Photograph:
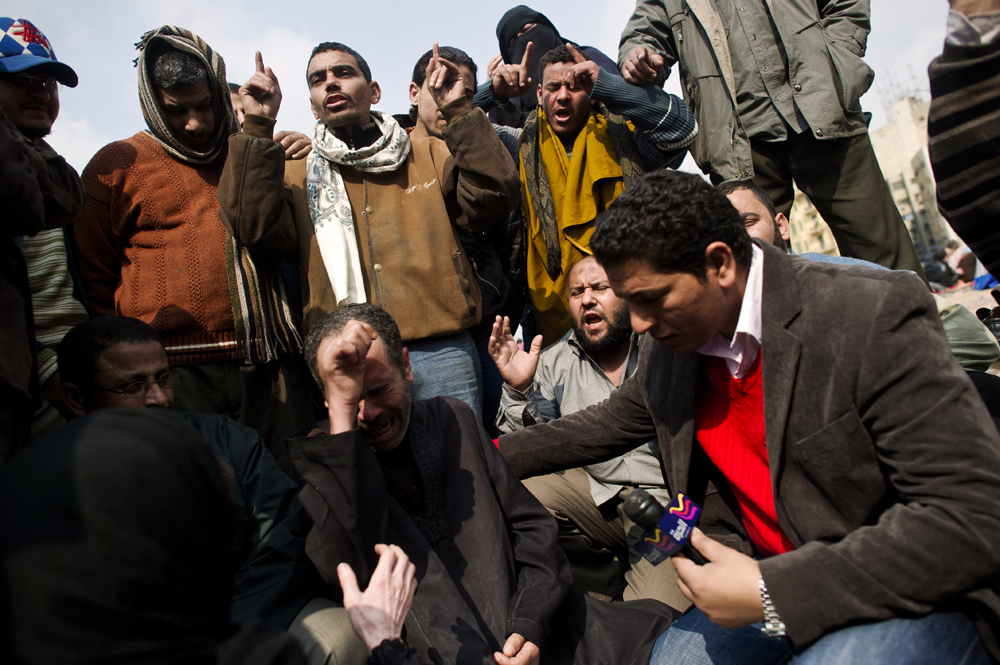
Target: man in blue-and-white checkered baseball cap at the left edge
39, 191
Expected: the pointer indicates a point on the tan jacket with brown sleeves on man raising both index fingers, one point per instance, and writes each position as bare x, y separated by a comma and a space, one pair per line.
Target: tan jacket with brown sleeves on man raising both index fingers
405, 220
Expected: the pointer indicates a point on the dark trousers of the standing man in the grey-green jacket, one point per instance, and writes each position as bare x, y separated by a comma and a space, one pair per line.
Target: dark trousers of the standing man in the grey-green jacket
843, 180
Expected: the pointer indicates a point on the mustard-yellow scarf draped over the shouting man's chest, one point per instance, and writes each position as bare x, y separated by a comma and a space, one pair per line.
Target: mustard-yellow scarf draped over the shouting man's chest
582, 186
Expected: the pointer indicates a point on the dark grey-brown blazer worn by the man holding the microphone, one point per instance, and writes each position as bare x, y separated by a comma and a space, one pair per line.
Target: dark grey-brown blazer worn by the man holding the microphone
884, 461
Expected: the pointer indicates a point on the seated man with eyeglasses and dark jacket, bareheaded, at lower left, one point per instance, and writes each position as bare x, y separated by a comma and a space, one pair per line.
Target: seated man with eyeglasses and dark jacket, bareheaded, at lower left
117, 361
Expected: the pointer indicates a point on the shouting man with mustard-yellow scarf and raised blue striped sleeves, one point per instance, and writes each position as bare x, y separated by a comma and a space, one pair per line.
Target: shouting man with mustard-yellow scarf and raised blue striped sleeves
590, 136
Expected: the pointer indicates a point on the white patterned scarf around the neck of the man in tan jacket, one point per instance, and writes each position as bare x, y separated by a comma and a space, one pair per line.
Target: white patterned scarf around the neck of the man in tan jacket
329, 206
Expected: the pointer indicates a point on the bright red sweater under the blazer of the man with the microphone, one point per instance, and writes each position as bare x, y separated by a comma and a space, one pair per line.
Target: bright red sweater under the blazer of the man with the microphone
729, 426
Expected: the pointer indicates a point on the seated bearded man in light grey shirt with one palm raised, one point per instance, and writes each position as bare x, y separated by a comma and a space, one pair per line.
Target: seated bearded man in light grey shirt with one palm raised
580, 370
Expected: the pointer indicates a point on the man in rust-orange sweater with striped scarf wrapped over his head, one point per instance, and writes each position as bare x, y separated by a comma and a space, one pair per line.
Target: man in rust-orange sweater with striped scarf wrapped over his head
150, 245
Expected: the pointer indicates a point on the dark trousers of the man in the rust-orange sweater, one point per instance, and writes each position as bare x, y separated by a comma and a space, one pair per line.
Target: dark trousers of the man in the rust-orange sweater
272, 398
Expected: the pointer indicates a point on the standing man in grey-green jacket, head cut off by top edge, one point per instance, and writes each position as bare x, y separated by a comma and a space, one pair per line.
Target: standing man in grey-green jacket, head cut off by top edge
776, 90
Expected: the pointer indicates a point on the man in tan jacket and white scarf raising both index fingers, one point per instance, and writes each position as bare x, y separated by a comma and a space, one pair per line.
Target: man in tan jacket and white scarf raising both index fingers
374, 214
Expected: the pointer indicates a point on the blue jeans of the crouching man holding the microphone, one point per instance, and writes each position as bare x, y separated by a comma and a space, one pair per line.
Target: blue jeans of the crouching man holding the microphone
942, 638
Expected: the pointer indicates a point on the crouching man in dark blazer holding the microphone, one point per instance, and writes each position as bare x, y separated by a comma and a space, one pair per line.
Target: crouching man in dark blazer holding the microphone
884, 463
